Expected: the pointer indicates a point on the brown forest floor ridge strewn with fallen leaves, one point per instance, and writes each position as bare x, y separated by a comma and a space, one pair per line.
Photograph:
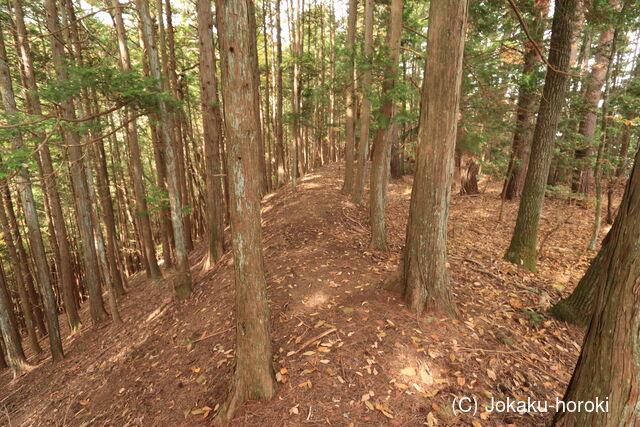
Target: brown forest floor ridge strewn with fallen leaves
373, 364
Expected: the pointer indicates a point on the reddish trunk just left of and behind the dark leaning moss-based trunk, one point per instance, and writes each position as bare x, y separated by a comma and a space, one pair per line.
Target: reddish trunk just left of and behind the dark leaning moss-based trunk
527, 101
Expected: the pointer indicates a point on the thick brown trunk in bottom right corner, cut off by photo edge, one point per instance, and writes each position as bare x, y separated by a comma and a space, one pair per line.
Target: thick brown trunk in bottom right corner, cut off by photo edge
609, 365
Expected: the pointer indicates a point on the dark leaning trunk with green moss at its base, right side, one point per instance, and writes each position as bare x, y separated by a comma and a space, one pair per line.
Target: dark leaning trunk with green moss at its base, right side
522, 250
